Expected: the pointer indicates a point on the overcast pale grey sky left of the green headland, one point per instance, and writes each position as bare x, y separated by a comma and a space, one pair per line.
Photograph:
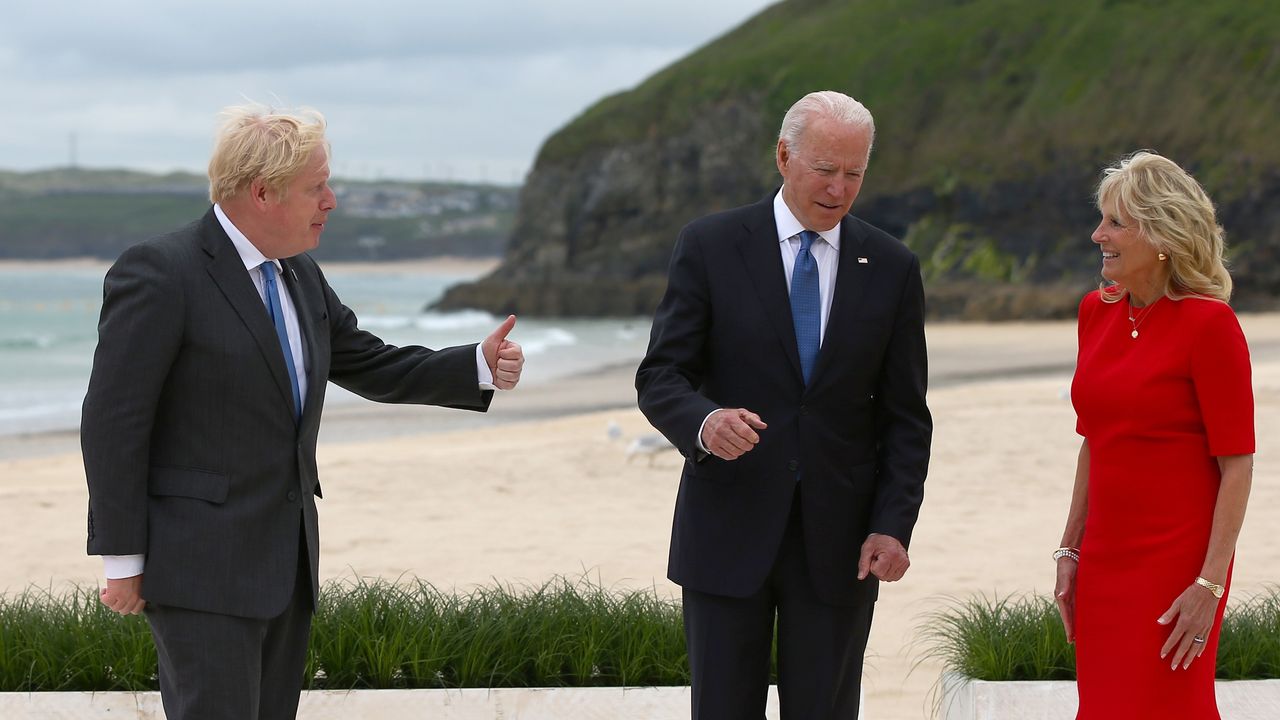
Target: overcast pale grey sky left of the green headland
459, 90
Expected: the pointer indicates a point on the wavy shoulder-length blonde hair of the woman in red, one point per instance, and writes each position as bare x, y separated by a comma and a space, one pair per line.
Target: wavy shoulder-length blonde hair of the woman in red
1176, 216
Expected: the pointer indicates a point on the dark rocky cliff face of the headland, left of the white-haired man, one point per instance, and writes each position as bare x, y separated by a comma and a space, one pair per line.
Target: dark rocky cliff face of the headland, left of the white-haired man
595, 231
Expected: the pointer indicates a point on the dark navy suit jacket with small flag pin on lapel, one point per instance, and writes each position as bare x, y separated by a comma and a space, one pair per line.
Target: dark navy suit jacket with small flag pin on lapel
857, 438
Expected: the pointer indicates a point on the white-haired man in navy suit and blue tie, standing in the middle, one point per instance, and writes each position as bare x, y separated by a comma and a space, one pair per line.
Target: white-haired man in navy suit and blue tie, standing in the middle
788, 364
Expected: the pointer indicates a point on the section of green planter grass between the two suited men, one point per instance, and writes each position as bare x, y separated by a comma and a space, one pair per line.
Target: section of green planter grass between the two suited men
377, 635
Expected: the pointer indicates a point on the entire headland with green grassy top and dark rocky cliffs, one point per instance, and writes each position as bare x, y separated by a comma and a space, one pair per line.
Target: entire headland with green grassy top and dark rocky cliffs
994, 120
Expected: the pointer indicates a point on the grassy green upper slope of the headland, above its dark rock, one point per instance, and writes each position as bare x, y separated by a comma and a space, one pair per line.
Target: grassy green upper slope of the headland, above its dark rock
979, 90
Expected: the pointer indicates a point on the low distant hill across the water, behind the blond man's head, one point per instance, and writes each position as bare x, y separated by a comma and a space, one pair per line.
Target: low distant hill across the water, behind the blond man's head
93, 213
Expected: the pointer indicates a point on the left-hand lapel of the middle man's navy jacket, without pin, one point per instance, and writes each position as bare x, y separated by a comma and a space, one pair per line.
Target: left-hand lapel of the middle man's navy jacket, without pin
761, 254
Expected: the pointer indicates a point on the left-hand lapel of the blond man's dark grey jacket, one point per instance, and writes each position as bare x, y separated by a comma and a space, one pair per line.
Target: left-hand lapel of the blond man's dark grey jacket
228, 272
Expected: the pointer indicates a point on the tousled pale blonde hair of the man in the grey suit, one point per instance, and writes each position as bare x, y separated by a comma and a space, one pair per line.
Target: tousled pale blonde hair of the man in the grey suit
255, 142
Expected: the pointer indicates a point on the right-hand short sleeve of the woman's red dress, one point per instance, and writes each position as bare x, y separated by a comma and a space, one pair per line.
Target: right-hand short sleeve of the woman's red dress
1224, 384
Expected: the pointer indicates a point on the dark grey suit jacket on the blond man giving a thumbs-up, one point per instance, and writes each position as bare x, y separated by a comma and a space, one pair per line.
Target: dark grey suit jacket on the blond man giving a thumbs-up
191, 449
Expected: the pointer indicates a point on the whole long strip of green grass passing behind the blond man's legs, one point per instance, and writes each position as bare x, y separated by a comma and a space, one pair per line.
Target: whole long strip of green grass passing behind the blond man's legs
380, 635
